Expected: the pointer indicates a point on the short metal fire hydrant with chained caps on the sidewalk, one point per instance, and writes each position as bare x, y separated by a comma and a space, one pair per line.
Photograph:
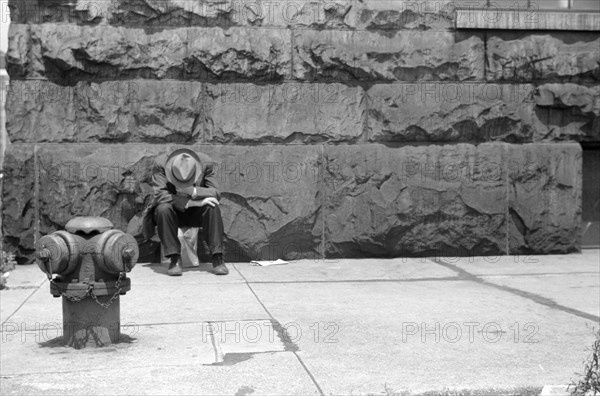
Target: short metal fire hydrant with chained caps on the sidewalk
90, 261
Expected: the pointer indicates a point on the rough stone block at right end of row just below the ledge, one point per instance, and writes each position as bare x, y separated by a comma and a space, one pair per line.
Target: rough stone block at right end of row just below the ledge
557, 57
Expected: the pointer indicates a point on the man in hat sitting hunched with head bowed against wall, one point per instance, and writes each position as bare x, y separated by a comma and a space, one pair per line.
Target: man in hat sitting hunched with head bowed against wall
186, 195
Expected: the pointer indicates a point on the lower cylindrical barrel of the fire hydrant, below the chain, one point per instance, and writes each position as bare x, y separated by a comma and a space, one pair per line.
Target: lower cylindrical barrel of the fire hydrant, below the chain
88, 324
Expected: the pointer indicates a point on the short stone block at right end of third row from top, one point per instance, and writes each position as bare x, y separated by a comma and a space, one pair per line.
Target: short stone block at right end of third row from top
568, 112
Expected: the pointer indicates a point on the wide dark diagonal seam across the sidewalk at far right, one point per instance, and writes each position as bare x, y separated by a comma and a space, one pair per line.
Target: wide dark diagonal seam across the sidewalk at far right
465, 275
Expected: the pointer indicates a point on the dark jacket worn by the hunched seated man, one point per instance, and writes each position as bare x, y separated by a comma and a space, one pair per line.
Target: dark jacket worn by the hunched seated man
165, 192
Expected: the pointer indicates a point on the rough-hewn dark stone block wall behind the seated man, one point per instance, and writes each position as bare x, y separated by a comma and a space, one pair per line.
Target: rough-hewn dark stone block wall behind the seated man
339, 128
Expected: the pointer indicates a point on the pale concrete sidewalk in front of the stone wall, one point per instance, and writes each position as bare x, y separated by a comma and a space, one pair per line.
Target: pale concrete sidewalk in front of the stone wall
356, 327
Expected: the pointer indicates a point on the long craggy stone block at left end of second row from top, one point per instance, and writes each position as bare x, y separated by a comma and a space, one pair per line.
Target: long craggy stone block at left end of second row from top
66, 53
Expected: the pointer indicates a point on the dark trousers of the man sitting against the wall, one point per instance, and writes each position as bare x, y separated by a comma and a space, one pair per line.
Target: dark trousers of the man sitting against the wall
169, 220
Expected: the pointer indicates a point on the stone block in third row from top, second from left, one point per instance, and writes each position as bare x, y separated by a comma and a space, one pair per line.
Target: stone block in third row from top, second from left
140, 111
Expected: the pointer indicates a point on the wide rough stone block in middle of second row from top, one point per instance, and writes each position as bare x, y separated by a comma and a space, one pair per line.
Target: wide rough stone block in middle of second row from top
387, 56
